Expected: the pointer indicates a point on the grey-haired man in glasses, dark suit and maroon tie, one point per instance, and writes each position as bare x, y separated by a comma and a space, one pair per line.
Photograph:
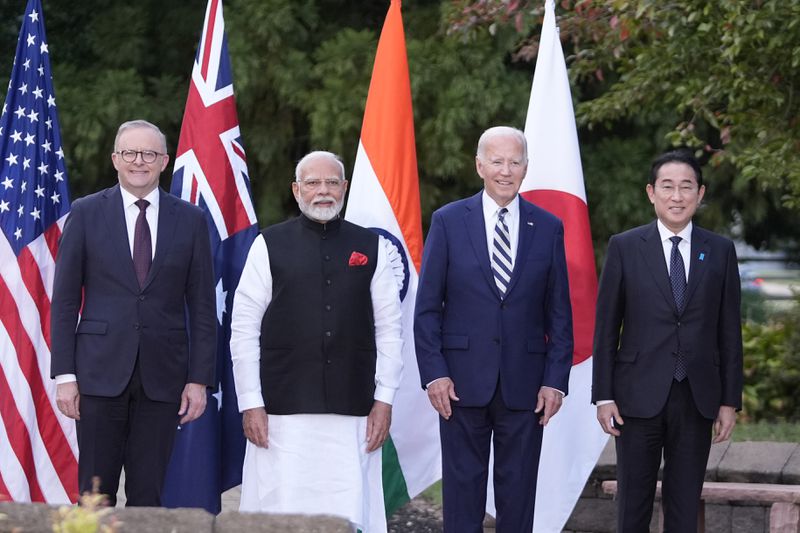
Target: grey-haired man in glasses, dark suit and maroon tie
133, 283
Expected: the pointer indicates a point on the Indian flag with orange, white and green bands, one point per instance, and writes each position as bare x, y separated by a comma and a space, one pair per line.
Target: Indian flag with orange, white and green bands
384, 196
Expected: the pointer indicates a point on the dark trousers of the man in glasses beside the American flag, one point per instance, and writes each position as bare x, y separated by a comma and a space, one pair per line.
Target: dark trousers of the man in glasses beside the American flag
128, 430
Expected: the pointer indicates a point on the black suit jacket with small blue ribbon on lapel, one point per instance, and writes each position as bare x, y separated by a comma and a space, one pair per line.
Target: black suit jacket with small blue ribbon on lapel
638, 328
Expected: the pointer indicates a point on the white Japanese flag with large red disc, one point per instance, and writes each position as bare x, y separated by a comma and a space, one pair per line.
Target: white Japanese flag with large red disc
573, 439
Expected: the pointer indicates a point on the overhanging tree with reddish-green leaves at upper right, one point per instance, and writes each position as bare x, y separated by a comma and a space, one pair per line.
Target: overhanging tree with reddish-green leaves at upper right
721, 75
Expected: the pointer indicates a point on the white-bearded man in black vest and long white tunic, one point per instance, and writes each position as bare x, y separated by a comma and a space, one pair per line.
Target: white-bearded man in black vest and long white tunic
316, 346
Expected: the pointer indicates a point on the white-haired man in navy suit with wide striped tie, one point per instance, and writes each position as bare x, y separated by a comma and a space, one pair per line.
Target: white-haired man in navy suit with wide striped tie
493, 334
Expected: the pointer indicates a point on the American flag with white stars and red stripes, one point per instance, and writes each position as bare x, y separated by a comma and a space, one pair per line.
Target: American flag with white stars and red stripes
38, 446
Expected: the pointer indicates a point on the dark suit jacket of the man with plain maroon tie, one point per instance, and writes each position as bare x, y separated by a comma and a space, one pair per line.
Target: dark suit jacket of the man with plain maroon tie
119, 320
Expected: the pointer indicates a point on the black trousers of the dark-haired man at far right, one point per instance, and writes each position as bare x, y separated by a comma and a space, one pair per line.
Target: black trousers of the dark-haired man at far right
685, 438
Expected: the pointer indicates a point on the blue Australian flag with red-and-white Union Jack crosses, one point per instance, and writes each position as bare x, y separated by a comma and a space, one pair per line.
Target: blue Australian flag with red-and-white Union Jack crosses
211, 171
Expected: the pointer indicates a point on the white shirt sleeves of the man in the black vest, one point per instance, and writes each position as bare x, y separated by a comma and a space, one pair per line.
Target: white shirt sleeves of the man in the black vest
254, 295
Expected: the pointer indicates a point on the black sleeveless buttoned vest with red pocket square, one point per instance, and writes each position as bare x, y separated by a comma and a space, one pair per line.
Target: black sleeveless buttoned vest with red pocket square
318, 333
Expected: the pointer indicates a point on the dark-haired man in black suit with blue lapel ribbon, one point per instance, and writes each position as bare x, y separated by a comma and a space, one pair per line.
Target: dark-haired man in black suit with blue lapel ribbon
667, 349
